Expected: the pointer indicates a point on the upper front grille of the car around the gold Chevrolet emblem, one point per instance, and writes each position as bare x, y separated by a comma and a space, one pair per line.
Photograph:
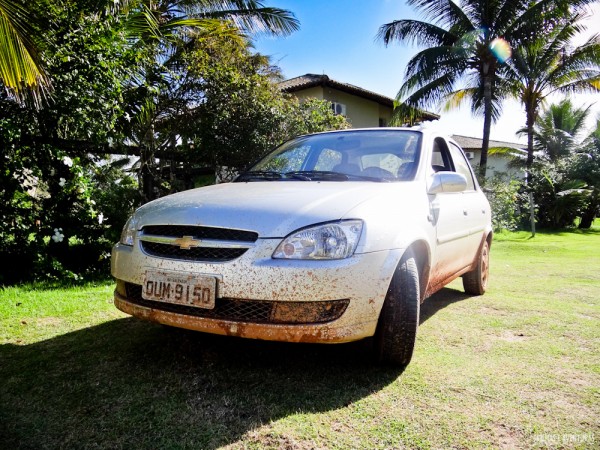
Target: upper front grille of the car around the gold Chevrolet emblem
220, 244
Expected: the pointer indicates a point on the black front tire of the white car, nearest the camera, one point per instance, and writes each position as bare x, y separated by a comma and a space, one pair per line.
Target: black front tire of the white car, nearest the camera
399, 319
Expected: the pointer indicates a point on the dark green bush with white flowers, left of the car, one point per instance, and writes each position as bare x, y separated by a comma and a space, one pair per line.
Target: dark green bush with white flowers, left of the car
59, 215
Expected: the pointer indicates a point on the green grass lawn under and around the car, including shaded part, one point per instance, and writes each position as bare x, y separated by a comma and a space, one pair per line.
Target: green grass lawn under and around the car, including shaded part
516, 368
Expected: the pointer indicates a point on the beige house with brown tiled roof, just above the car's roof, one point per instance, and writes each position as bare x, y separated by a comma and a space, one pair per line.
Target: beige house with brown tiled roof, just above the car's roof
362, 108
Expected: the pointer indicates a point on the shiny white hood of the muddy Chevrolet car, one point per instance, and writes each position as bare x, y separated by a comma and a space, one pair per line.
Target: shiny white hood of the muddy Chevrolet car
272, 209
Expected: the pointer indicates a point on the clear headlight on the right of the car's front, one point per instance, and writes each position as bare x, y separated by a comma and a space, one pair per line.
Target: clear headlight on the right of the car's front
337, 240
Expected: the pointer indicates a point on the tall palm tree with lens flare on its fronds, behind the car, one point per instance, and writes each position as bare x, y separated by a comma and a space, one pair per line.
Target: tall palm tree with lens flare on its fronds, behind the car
466, 42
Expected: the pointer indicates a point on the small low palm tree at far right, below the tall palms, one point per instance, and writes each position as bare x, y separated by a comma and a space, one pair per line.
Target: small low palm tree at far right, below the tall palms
558, 129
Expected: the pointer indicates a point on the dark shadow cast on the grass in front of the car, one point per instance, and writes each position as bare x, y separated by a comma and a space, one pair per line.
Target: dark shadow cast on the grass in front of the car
134, 384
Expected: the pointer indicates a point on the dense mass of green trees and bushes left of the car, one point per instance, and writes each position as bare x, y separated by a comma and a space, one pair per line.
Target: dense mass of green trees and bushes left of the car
174, 84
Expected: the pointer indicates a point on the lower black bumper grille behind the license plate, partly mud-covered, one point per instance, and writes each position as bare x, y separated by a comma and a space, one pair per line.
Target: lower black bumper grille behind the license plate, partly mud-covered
253, 311
